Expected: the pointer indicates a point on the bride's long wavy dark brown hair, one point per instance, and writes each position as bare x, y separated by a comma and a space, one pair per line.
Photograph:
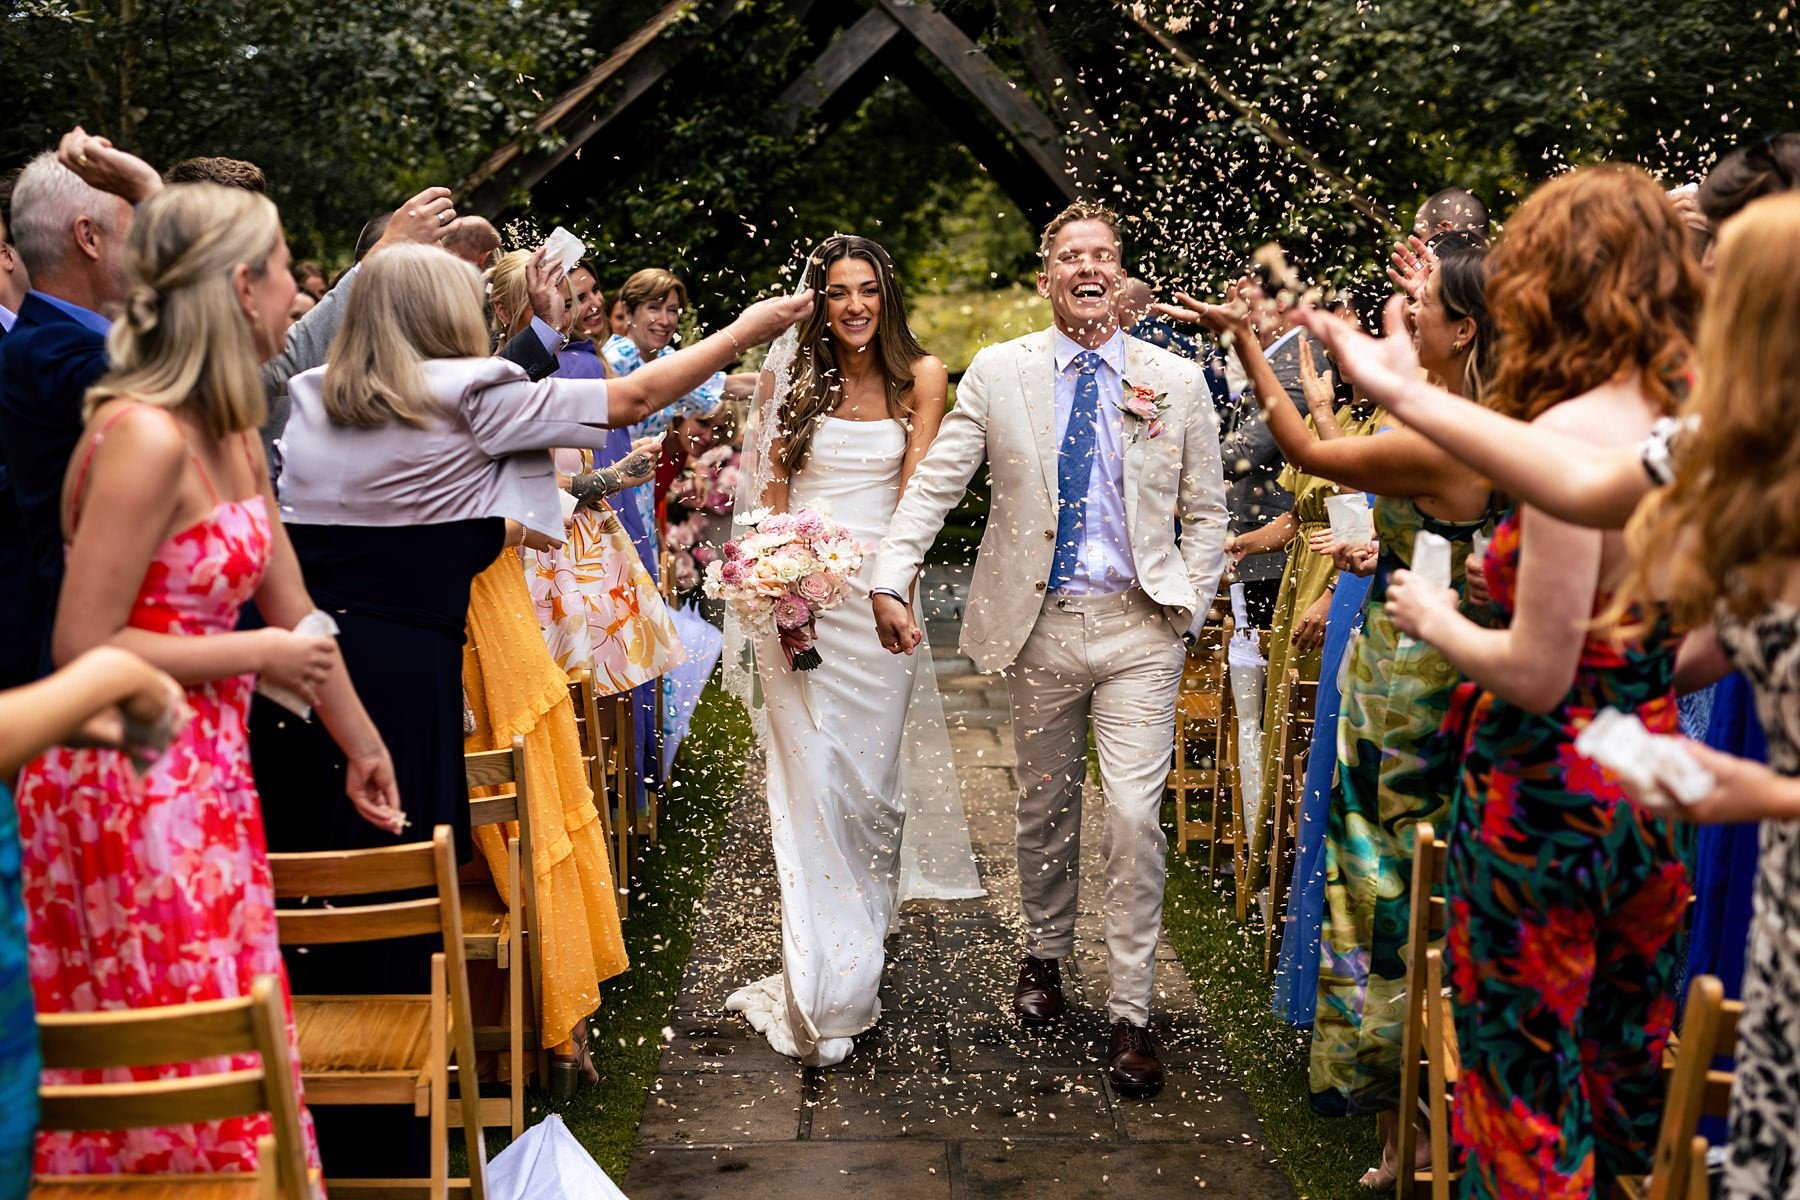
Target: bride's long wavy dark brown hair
816, 372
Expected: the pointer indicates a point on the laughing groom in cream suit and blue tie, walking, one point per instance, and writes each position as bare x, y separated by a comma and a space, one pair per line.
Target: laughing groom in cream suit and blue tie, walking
1102, 555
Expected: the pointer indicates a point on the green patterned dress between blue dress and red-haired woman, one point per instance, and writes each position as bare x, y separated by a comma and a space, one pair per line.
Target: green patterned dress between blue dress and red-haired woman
1394, 703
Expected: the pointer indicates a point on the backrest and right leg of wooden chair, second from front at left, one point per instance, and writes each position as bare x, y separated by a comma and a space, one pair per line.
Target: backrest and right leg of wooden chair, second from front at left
352, 873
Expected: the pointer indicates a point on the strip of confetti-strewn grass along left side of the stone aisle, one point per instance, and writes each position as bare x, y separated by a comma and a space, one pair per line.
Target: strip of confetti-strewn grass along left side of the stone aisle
658, 933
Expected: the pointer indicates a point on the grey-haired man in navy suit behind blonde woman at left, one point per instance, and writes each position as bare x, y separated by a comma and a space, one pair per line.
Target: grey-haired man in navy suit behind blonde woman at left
71, 240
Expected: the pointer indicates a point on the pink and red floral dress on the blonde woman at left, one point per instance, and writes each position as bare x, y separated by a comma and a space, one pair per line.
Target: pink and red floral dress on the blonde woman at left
154, 888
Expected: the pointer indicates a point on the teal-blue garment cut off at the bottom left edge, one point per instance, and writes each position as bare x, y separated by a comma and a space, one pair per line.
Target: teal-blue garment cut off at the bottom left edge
19, 1032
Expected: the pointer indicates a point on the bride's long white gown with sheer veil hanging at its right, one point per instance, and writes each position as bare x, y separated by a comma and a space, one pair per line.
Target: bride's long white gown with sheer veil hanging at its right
845, 764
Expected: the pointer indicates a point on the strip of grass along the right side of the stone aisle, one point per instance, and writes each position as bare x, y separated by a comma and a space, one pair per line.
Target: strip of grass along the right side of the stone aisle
1322, 1156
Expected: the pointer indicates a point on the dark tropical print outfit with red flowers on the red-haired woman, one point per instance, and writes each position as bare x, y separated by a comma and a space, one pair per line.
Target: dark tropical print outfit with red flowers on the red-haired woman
1565, 902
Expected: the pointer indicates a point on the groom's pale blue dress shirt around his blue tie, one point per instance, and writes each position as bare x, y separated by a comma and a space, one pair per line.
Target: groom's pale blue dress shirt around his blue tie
1104, 564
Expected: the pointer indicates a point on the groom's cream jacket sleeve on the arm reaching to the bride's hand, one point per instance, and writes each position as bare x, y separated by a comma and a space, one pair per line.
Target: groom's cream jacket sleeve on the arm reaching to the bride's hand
939, 483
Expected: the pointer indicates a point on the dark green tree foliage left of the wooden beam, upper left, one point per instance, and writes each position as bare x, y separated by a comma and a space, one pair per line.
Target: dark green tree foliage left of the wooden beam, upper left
348, 105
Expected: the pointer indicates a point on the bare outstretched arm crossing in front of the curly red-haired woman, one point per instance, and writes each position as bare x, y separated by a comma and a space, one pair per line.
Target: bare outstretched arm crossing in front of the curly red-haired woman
1563, 476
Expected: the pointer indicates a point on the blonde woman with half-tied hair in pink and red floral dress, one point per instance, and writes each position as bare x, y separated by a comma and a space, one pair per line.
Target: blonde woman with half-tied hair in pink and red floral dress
152, 886
